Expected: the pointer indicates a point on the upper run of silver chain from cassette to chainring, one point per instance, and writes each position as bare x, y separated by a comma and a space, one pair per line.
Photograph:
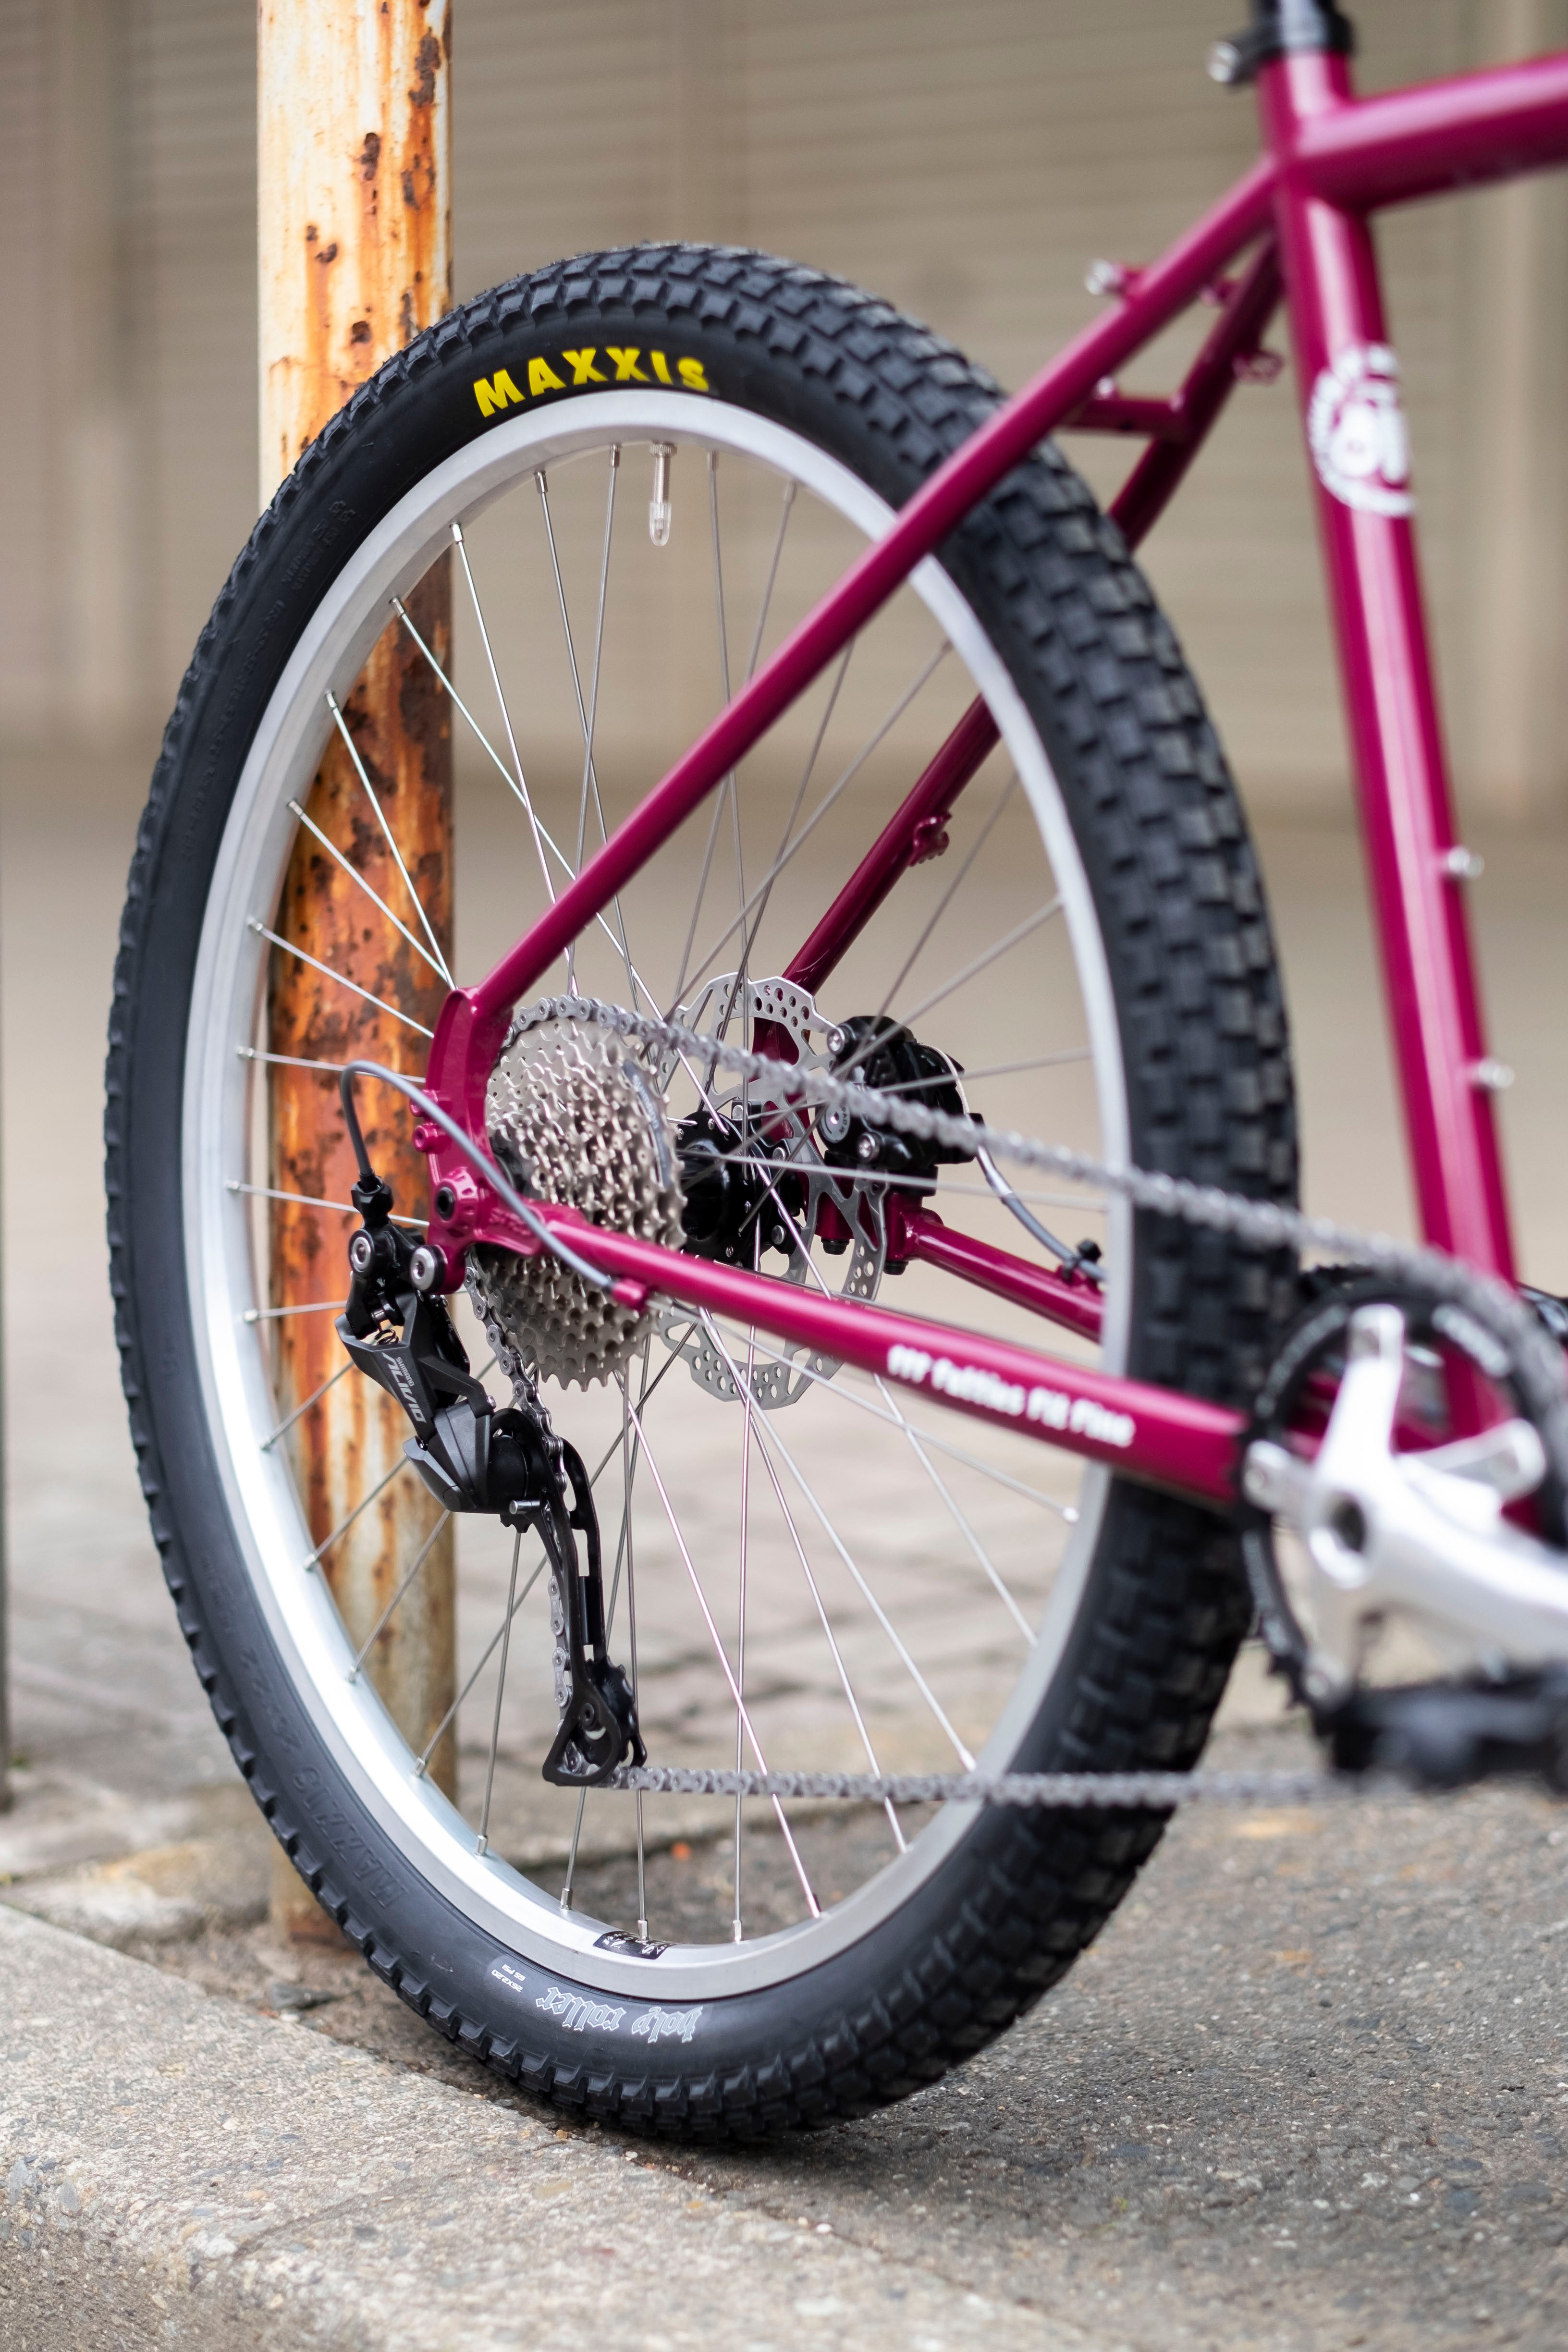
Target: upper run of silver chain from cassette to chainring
1266, 1224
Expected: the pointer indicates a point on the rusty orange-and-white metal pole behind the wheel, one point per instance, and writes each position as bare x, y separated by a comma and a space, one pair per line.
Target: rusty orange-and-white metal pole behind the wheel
354, 243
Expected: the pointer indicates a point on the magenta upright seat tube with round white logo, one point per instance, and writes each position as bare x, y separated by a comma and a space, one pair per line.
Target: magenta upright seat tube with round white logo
1358, 450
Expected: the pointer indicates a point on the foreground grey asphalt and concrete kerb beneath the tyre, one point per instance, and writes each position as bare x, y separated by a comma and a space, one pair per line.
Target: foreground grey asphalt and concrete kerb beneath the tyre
1308, 2092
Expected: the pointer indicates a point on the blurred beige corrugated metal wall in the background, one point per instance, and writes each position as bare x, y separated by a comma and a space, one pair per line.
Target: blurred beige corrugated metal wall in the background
965, 161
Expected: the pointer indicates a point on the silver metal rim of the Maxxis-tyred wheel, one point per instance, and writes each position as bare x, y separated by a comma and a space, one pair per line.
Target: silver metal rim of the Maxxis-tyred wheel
232, 1349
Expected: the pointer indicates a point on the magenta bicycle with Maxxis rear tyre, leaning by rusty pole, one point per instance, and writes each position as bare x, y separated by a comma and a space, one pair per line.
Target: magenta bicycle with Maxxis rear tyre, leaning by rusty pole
956, 864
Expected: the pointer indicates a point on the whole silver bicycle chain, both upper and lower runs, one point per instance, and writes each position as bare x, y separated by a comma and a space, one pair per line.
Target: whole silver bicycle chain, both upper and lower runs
1515, 1330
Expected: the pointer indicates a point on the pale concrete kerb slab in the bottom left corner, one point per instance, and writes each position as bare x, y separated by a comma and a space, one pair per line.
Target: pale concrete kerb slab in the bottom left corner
180, 2172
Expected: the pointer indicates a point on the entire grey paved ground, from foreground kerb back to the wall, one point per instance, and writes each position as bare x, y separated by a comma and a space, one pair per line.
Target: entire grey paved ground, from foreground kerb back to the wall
1306, 2092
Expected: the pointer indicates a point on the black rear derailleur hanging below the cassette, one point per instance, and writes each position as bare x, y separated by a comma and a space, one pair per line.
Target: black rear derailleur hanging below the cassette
507, 1462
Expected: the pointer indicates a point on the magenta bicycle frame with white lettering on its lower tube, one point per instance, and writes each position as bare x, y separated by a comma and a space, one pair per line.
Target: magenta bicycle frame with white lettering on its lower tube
1304, 218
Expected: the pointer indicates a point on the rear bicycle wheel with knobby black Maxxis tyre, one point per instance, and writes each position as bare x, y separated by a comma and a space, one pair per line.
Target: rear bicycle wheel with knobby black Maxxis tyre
641, 472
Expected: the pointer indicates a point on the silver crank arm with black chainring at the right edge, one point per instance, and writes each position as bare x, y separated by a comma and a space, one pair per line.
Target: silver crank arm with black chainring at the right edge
1369, 1525
